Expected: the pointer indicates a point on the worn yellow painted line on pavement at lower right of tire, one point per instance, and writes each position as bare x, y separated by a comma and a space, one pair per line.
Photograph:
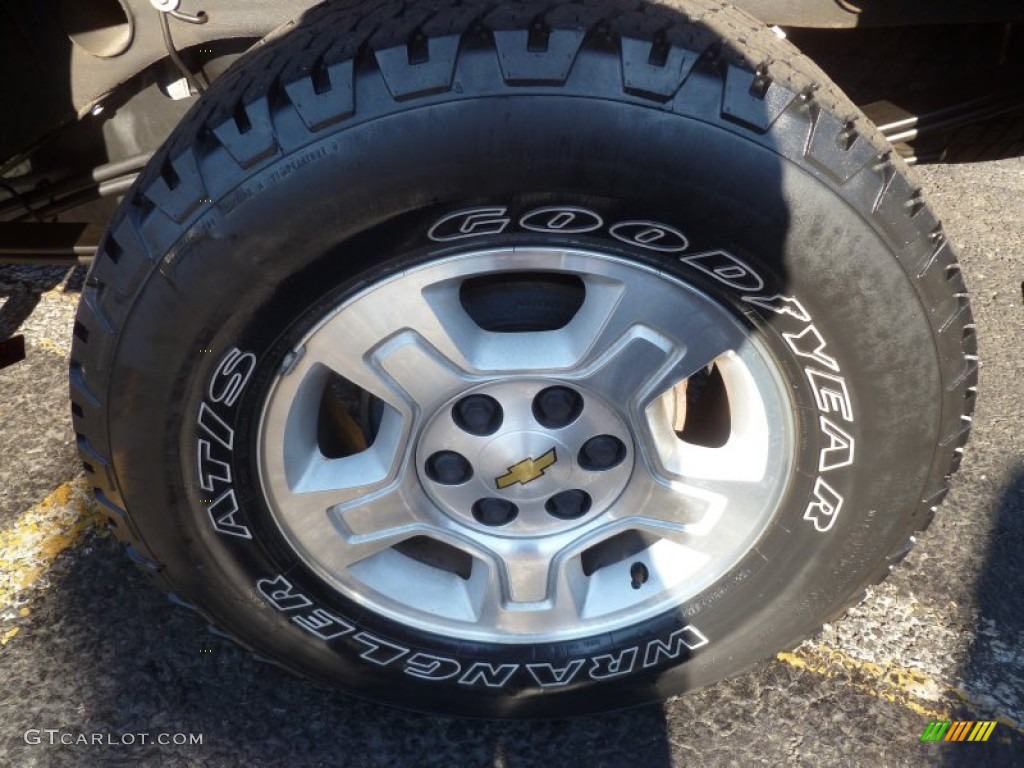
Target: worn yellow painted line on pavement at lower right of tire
914, 690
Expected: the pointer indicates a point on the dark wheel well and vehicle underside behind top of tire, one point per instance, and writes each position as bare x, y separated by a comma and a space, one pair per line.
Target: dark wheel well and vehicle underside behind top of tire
96, 87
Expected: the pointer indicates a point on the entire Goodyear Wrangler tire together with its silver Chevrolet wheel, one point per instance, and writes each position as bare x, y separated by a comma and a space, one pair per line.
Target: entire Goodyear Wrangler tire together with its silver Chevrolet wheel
343, 357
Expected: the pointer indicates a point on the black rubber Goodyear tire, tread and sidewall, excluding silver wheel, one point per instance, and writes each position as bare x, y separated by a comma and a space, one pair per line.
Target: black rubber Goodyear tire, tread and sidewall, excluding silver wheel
322, 161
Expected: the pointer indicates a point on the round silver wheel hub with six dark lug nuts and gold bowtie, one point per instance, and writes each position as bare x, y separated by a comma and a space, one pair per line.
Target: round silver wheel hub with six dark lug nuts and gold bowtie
525, 458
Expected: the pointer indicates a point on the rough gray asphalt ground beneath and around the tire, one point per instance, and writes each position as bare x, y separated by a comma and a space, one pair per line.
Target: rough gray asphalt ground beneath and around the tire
99, 652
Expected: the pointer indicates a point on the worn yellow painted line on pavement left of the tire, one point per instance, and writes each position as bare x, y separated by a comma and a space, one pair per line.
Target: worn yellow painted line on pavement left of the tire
31, 546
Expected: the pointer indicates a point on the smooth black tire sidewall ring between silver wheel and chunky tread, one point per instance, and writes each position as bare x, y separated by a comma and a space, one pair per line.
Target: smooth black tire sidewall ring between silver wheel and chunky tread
264, 270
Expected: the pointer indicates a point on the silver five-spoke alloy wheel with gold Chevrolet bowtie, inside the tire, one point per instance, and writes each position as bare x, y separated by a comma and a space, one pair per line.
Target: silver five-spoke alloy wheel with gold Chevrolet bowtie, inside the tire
526, 485
